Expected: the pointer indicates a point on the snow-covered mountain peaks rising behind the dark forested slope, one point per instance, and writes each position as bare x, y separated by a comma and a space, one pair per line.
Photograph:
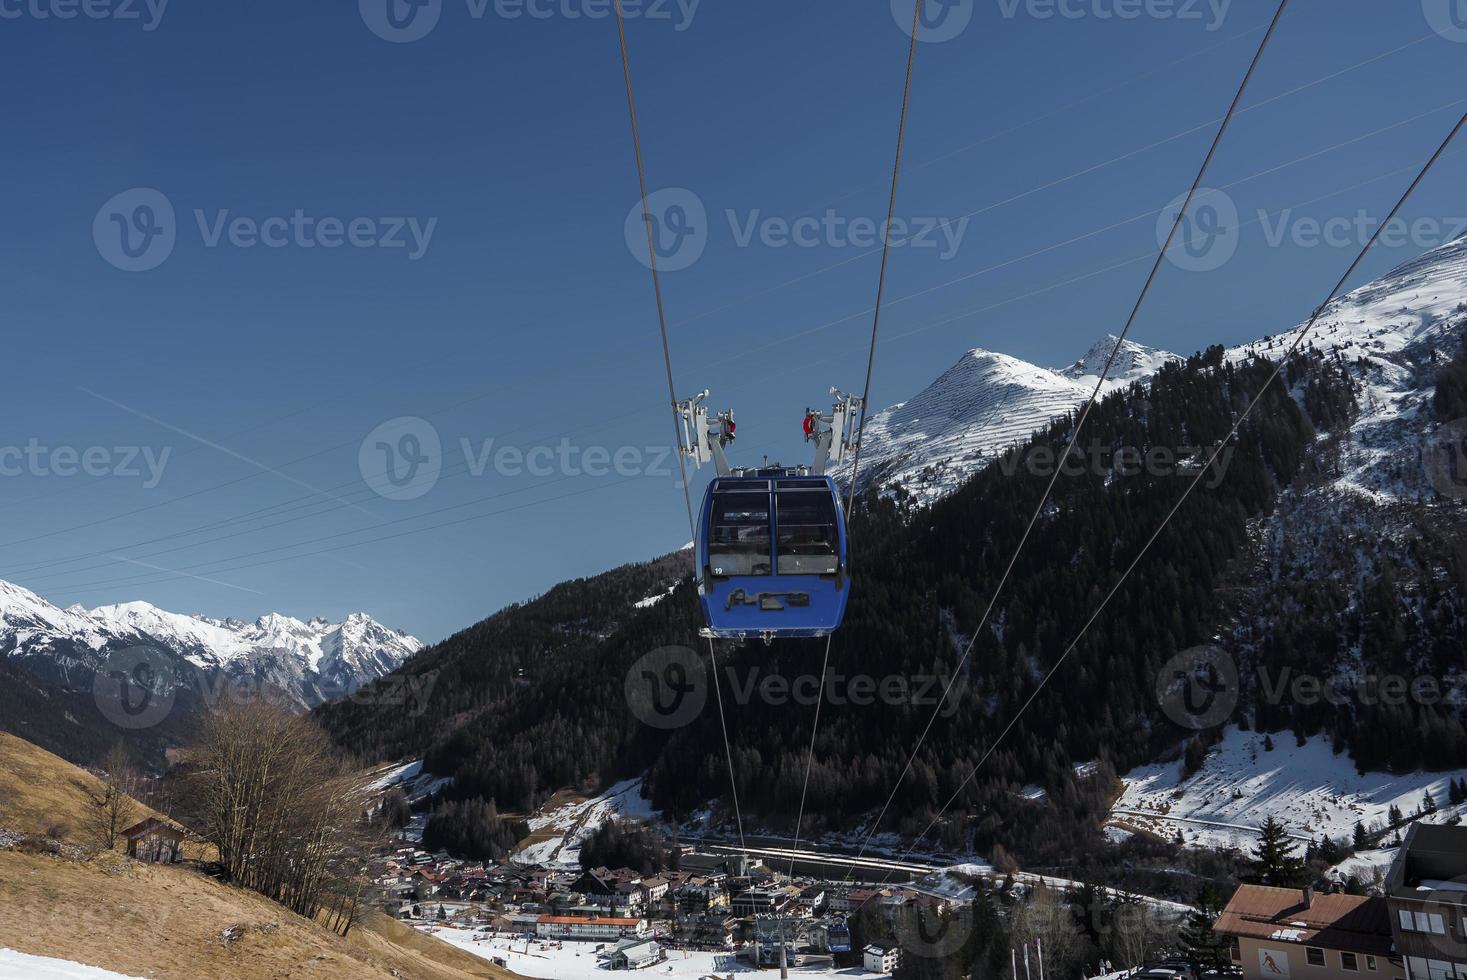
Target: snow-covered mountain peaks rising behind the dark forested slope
988, 401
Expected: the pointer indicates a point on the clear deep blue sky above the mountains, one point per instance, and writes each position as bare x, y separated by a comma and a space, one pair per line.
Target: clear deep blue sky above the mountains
526, 318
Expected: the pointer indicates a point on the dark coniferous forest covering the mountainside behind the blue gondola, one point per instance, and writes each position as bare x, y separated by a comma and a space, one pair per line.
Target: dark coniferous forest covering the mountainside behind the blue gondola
533, 699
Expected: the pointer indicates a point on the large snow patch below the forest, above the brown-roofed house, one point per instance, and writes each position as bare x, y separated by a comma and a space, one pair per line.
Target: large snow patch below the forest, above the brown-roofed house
1240, 786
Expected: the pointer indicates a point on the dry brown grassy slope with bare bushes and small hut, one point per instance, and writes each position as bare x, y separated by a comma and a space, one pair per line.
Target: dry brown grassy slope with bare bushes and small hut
168, 921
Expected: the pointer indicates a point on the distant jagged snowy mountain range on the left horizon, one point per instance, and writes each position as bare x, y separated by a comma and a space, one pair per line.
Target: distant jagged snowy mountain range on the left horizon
309, 662
